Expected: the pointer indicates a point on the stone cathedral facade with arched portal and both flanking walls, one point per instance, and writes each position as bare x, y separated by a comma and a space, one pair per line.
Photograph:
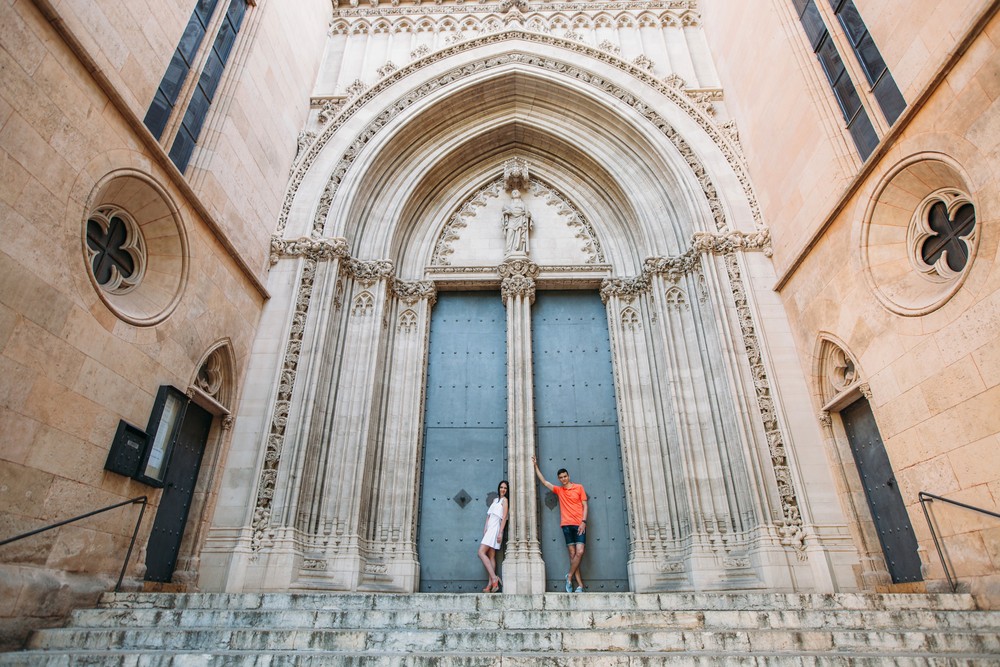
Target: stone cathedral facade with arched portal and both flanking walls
683, 248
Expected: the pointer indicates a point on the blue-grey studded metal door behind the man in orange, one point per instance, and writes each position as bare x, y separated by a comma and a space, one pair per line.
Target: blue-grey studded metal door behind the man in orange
578, 430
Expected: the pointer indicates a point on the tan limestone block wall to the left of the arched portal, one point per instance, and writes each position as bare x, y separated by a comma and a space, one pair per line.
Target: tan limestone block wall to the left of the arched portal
74, 358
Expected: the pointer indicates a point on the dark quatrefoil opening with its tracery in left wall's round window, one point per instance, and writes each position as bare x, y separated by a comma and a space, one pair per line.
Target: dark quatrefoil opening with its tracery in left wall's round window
116, 250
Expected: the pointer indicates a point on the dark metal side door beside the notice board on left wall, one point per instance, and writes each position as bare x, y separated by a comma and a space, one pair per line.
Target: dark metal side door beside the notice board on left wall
178, 490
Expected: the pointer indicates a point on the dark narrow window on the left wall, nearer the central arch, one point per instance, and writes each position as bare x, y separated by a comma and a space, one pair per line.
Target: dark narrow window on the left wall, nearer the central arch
201, 100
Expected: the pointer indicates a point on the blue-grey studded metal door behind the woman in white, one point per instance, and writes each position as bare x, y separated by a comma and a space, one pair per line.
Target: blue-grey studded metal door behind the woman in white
465, 428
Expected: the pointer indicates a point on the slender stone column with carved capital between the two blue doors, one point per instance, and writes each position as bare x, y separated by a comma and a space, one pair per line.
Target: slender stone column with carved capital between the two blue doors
523, 569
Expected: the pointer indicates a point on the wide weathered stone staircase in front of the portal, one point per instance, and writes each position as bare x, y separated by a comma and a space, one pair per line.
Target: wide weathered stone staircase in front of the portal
150, 629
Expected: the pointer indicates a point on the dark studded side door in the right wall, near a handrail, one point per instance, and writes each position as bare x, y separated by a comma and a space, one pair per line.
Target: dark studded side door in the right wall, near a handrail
895, 532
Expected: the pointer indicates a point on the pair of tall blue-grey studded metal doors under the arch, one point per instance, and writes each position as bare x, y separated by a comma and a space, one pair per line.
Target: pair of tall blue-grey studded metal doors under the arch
465, 435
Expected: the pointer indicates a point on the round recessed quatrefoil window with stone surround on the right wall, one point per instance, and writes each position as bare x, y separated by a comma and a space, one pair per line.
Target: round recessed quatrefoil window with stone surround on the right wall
920, 236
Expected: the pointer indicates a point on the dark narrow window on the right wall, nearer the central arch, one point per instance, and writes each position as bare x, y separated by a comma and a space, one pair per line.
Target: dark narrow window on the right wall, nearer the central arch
858, 123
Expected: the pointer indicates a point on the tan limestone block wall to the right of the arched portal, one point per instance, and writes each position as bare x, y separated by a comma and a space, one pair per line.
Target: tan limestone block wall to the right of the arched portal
924, 341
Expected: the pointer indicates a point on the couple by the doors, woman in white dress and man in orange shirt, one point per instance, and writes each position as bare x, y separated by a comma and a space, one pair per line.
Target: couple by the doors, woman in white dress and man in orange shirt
573, 519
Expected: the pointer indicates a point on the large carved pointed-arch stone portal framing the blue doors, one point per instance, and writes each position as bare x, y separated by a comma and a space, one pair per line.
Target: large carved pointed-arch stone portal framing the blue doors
562, 203
